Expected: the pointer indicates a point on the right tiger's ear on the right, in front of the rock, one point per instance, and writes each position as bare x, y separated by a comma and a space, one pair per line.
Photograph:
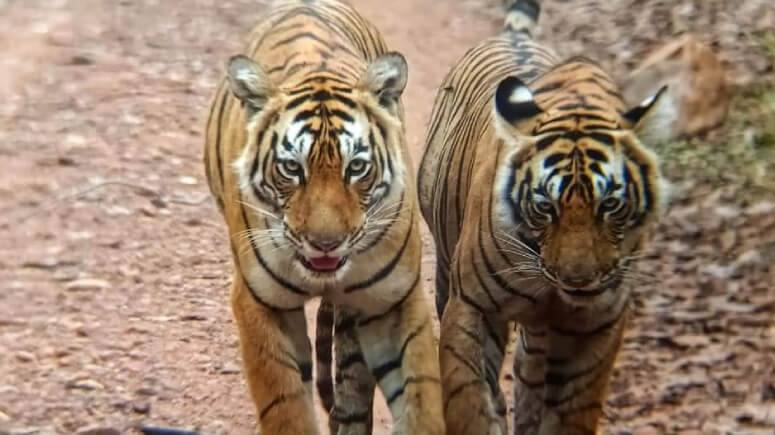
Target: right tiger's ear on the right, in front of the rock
652, 120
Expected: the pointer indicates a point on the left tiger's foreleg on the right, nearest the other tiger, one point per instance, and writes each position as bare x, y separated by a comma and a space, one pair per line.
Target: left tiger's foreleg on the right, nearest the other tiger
401, 353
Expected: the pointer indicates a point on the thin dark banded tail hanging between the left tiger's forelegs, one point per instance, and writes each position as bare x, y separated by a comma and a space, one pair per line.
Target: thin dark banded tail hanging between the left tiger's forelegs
324, 335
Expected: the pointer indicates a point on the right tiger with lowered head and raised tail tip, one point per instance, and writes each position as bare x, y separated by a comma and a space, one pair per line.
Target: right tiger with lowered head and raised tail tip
540, 191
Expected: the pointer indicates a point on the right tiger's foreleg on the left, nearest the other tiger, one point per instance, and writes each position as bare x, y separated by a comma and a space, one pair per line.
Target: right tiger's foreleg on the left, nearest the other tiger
472, 404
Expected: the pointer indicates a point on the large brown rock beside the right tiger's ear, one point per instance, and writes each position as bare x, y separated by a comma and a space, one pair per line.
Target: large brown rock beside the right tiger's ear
695, 78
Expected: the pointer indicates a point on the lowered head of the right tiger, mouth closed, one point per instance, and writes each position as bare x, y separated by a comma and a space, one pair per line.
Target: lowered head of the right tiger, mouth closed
575, 183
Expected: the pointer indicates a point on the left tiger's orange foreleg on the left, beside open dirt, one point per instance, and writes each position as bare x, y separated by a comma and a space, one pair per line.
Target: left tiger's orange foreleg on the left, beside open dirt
276, 360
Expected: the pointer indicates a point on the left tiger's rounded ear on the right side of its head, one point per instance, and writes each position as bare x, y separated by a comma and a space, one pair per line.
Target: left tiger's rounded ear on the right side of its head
385, 78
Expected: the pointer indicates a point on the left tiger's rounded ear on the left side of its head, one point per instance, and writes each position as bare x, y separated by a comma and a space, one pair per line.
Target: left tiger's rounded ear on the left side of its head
248, 82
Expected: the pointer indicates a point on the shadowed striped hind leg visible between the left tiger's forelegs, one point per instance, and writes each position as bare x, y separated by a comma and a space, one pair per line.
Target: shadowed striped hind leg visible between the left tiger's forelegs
354, 386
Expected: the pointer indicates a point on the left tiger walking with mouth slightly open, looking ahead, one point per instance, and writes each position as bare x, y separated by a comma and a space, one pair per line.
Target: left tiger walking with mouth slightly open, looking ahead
306, 159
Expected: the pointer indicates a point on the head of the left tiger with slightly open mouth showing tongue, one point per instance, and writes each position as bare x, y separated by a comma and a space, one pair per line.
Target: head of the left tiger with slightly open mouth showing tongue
322, 160
